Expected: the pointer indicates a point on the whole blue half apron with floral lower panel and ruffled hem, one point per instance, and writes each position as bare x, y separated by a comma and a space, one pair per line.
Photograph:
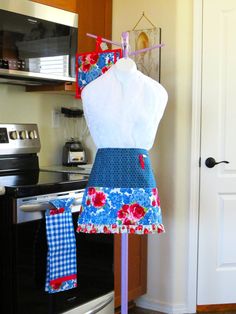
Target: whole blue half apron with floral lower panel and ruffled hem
121, 195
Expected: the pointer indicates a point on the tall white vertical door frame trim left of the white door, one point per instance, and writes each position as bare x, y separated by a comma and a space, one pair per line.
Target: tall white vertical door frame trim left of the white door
195, 155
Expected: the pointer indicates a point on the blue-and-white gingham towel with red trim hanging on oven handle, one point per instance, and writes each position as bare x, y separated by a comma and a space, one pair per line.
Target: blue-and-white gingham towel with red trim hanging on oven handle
61, 257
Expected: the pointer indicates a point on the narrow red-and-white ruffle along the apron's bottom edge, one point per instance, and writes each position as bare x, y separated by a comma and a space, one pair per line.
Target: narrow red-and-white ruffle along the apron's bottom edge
130, 229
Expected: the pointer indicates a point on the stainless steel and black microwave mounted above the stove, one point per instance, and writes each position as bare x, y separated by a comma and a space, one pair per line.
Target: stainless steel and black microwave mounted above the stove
38, 43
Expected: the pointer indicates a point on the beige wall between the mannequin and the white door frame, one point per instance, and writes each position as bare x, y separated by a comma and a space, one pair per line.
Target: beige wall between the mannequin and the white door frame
167, 257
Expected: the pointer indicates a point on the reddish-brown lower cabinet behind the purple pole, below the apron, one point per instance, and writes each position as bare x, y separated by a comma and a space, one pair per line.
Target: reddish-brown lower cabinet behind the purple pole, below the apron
137, 281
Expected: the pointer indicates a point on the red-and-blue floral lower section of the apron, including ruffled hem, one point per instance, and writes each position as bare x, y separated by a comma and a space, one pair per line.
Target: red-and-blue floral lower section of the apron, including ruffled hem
120, 210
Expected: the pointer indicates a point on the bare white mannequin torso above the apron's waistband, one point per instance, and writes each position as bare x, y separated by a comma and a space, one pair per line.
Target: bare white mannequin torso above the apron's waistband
123, 107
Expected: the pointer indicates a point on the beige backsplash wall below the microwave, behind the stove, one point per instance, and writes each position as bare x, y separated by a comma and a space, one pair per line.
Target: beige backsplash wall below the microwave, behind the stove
18, 106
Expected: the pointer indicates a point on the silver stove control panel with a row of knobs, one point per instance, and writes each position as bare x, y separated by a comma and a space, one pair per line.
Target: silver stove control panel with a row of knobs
19, 139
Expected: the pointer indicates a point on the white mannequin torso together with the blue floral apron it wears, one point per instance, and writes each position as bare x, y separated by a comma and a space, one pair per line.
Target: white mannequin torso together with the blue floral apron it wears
123, 108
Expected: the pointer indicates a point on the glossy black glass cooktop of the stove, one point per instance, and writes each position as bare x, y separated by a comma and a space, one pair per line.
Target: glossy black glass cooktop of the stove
38, 182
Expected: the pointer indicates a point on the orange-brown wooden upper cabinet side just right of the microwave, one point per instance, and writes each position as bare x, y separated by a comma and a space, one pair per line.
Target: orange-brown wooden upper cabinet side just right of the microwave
95, 17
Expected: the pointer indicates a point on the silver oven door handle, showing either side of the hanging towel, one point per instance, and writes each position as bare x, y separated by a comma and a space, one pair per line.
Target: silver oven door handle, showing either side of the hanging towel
42, 206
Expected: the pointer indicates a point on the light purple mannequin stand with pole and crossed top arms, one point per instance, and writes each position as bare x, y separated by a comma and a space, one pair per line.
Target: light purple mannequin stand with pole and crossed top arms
124, 236
